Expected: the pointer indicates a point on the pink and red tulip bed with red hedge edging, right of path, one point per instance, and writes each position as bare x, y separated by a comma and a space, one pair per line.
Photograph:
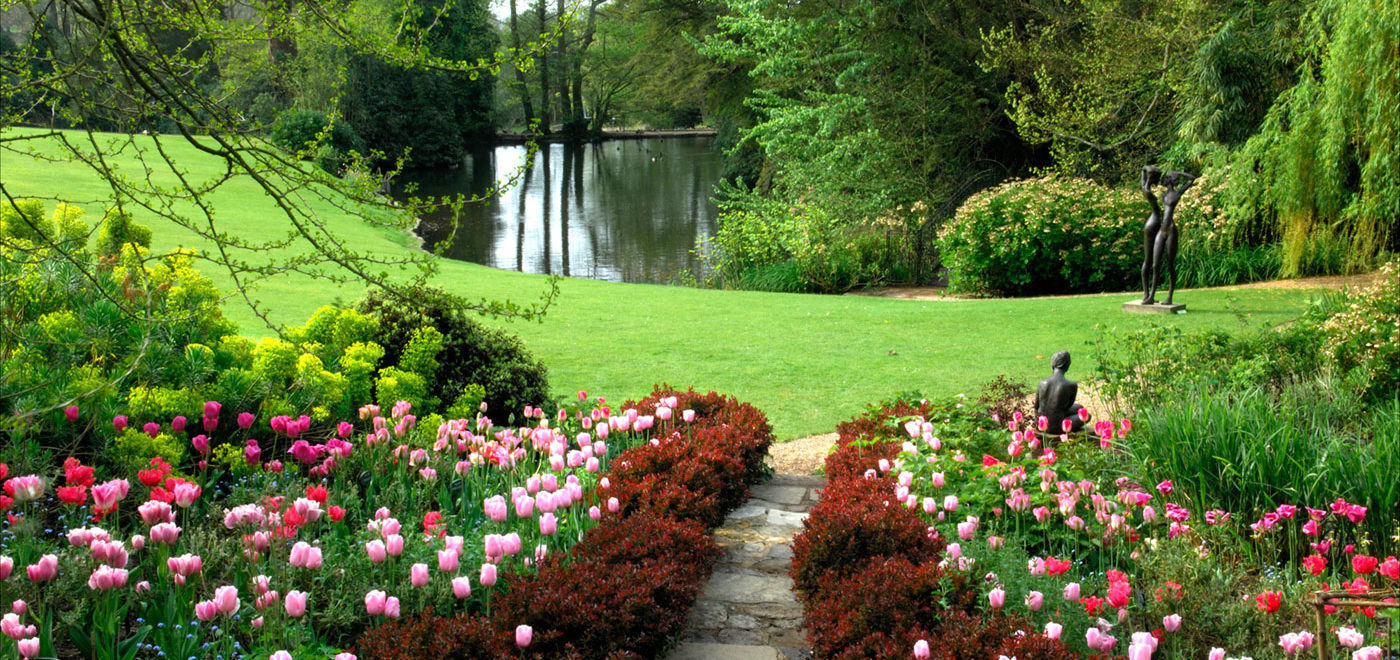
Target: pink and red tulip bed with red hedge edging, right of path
946, 533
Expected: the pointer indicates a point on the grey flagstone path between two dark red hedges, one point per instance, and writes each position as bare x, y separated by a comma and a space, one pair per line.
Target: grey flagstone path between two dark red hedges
748, 612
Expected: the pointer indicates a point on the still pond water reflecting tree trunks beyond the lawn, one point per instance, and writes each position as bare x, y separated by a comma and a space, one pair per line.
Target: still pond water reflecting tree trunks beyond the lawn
624, 211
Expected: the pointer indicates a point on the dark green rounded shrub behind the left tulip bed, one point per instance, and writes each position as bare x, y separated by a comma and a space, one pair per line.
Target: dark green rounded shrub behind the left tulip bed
472, 354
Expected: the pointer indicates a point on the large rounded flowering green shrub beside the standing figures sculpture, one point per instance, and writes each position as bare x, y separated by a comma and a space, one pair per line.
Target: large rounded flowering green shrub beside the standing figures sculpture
1034, 238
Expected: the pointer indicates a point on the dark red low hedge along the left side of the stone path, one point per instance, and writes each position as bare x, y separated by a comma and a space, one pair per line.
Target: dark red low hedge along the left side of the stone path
626, 588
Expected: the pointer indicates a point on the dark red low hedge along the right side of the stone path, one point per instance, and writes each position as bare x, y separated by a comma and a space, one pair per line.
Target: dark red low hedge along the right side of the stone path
869, 571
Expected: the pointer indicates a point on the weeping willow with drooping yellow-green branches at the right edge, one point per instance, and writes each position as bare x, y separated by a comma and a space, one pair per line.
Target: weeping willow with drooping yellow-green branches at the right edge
1325, 169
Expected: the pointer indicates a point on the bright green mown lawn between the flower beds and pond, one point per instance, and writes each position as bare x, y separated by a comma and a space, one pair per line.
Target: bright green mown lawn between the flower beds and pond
807, 361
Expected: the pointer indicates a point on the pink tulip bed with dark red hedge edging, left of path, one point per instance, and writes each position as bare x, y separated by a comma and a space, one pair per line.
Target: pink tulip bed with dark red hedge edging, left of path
507, 530
